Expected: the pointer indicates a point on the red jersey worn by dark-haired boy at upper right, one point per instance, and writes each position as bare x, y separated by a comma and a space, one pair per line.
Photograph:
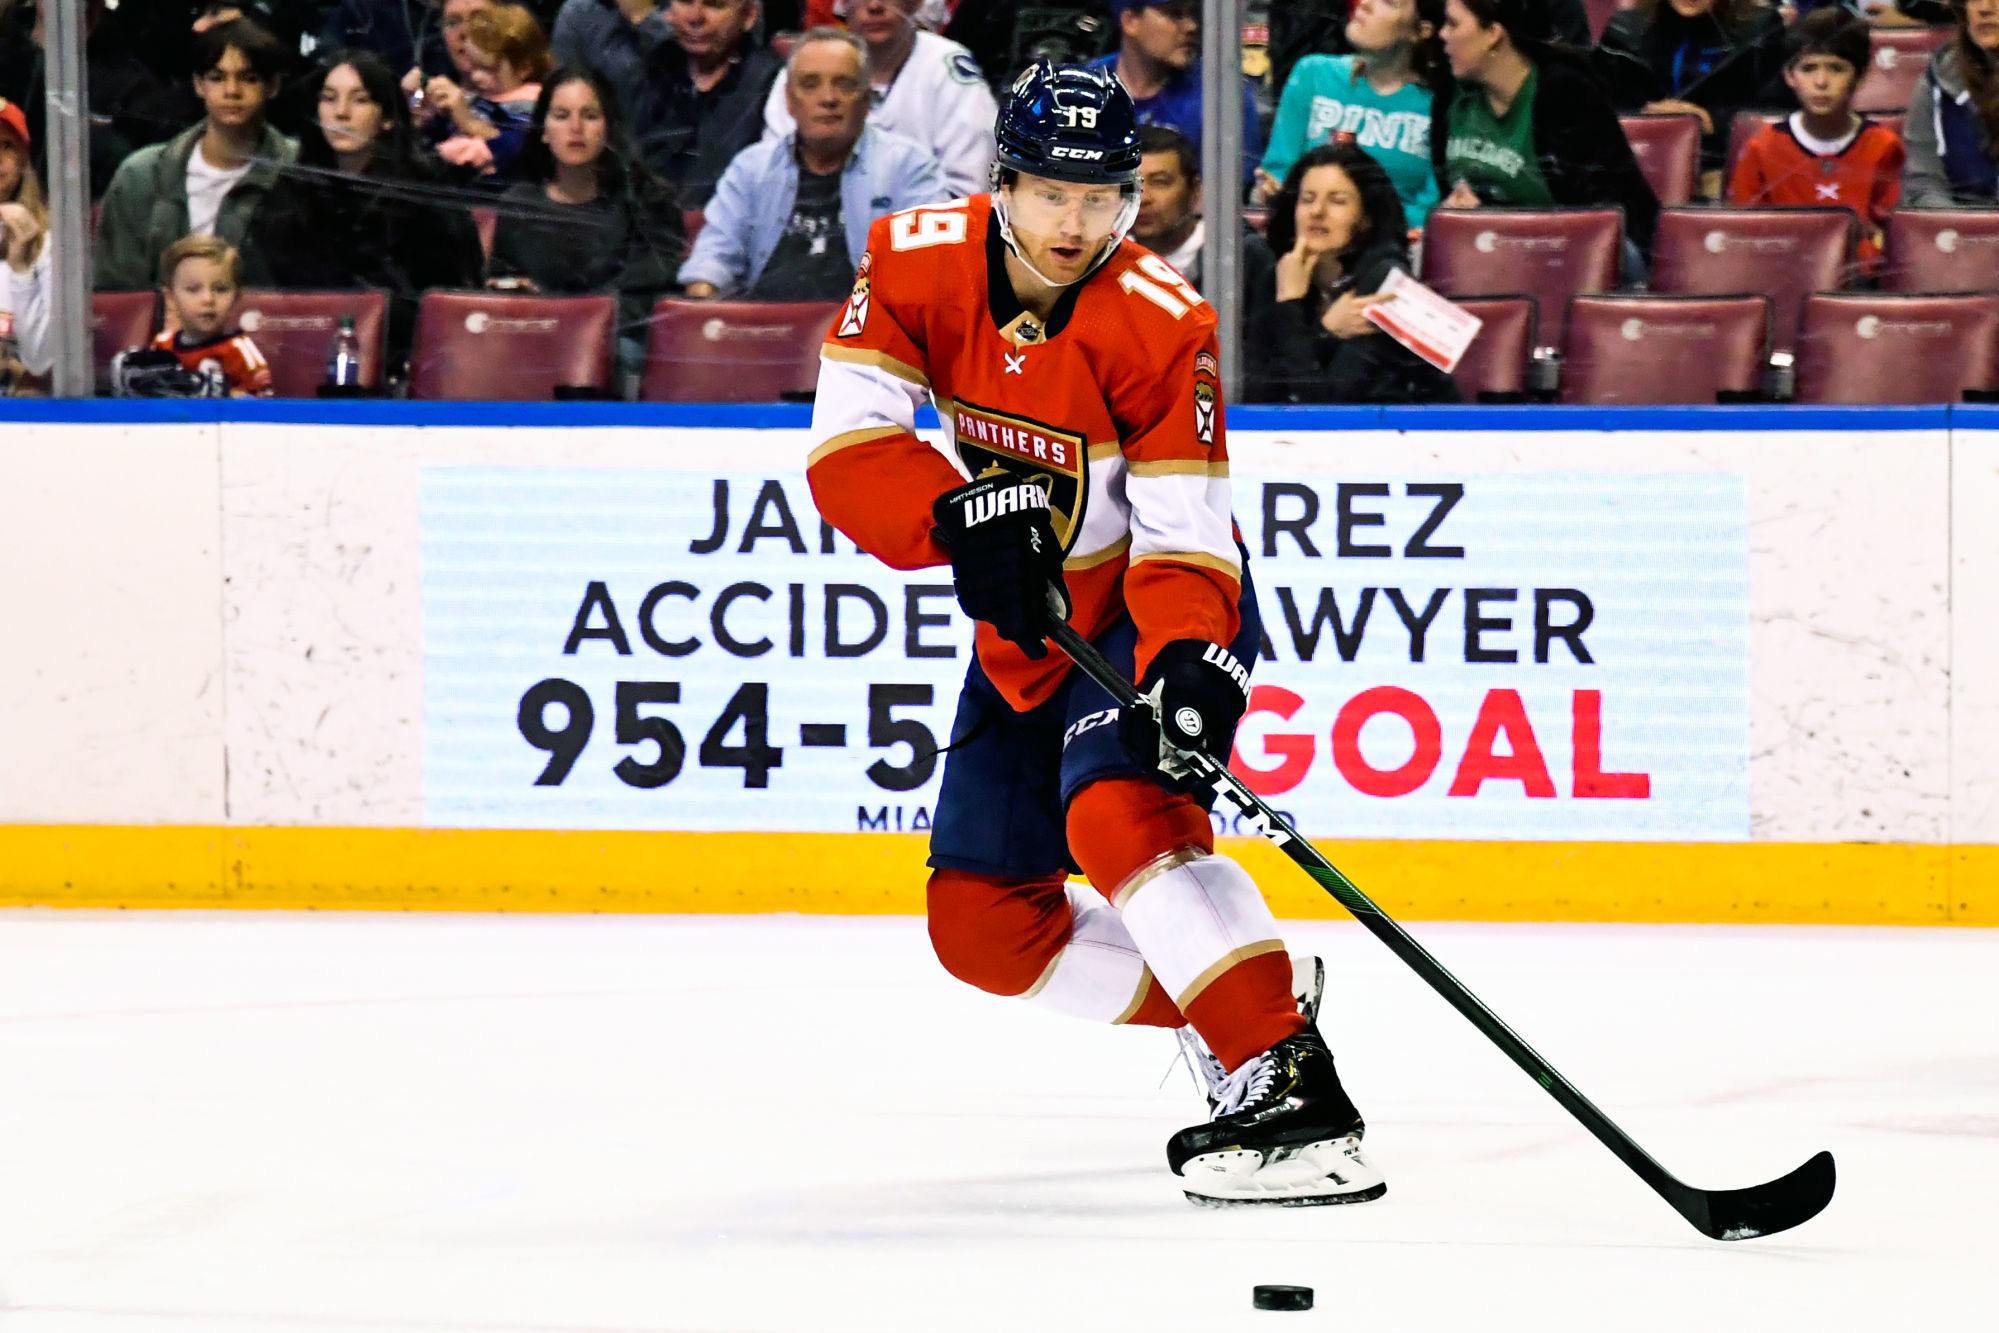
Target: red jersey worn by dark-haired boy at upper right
1866, 177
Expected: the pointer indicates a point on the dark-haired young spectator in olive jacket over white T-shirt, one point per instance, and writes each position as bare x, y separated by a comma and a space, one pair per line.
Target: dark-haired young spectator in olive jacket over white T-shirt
207, 181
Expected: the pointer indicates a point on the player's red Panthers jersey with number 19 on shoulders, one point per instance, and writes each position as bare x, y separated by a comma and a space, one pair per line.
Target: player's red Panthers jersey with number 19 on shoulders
1114, 407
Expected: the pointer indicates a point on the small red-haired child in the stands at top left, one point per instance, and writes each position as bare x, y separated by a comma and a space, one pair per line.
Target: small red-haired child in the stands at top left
509, 63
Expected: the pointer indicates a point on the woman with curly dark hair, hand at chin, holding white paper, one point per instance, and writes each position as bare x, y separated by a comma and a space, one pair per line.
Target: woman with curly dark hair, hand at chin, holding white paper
1338, 229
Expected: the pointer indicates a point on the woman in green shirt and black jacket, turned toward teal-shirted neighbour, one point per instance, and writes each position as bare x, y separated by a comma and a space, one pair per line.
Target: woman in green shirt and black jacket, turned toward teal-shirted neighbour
1528, 127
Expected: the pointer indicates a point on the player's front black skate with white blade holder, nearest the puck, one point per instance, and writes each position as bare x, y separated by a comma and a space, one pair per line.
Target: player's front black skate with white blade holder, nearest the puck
1290, 1136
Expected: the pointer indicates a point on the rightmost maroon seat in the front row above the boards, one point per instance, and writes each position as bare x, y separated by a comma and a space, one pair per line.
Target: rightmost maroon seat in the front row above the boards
1868, 349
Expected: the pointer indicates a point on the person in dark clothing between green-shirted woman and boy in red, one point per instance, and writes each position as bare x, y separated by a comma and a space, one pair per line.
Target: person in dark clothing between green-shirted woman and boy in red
1702, 59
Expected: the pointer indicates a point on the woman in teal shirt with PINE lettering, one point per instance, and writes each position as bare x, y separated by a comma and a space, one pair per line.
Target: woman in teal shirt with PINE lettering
1380, 95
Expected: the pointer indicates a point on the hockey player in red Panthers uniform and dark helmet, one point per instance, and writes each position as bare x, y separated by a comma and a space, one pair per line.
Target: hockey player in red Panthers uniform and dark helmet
1078, 379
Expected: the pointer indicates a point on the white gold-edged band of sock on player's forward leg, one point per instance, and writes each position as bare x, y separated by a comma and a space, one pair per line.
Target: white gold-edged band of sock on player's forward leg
1194, 916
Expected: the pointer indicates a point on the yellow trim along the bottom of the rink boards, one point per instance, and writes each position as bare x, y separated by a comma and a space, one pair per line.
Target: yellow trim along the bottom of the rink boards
535, 870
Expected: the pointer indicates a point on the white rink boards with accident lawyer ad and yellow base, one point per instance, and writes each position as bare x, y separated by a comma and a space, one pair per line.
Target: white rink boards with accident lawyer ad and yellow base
1526, 665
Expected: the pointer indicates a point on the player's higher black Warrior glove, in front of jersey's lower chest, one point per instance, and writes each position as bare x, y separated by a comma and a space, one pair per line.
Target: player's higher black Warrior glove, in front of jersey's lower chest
1004, 559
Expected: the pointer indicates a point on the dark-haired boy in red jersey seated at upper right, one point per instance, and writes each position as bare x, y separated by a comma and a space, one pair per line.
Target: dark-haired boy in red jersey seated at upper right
1826, 153
